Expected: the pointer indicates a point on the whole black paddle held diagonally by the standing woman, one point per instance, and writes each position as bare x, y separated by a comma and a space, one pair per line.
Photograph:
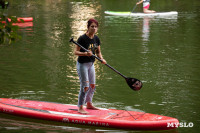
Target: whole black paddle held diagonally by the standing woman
133, 83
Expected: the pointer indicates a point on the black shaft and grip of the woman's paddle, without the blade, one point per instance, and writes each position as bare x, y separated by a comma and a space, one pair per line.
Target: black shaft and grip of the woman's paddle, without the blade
71, 40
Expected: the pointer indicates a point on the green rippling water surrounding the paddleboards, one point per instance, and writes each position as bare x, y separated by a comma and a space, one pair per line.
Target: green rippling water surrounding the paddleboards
162, 52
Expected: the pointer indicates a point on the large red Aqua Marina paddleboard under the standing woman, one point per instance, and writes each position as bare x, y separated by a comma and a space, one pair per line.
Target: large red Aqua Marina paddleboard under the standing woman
103, 117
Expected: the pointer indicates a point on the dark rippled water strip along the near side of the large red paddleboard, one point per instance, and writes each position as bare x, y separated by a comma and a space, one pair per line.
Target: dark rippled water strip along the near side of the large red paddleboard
17, 124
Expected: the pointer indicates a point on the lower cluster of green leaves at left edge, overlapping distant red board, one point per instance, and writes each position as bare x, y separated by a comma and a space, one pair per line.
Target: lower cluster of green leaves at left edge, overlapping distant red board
8, 31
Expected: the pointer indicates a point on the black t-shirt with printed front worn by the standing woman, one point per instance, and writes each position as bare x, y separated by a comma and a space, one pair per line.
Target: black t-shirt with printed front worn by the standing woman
90, 44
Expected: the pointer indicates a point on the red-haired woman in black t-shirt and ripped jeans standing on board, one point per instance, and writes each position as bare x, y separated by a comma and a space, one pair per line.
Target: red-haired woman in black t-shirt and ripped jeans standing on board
85, 65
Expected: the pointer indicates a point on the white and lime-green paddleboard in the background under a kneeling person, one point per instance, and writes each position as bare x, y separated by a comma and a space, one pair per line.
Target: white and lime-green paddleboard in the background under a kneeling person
138, 14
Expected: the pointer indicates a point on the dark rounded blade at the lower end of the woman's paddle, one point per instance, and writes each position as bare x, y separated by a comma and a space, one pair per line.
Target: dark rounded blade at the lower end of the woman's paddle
134, 83
